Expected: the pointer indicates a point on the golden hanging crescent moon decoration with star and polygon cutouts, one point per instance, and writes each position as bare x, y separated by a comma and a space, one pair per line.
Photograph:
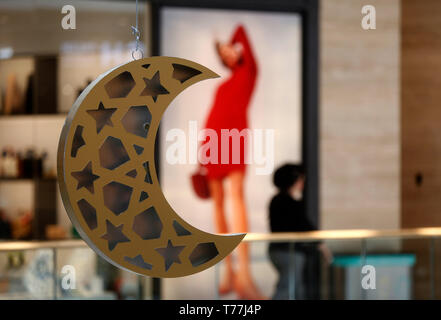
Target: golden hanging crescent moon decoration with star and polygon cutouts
107, 174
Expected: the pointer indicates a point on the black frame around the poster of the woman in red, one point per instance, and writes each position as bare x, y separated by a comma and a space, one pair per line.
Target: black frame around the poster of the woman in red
309, 12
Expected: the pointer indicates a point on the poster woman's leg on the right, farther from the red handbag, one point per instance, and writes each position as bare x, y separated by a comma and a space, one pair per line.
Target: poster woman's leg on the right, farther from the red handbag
243, 282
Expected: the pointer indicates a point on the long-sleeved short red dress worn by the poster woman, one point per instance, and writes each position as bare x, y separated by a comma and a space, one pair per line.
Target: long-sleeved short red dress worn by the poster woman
229, 110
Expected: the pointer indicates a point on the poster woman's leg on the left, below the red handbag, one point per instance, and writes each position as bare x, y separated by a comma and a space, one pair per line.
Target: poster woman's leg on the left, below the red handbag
217, 194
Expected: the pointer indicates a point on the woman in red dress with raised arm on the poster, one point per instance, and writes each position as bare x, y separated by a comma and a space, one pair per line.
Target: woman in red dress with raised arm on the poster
229, 111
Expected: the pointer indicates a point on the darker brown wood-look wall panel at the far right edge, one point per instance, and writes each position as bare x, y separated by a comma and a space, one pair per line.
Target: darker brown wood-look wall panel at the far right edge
421, 113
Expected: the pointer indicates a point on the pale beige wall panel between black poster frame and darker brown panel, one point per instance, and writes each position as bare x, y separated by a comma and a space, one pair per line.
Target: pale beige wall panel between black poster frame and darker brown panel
359, 116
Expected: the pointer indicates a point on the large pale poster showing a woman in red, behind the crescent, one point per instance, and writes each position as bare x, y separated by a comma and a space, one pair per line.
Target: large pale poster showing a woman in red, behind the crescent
279, 115
